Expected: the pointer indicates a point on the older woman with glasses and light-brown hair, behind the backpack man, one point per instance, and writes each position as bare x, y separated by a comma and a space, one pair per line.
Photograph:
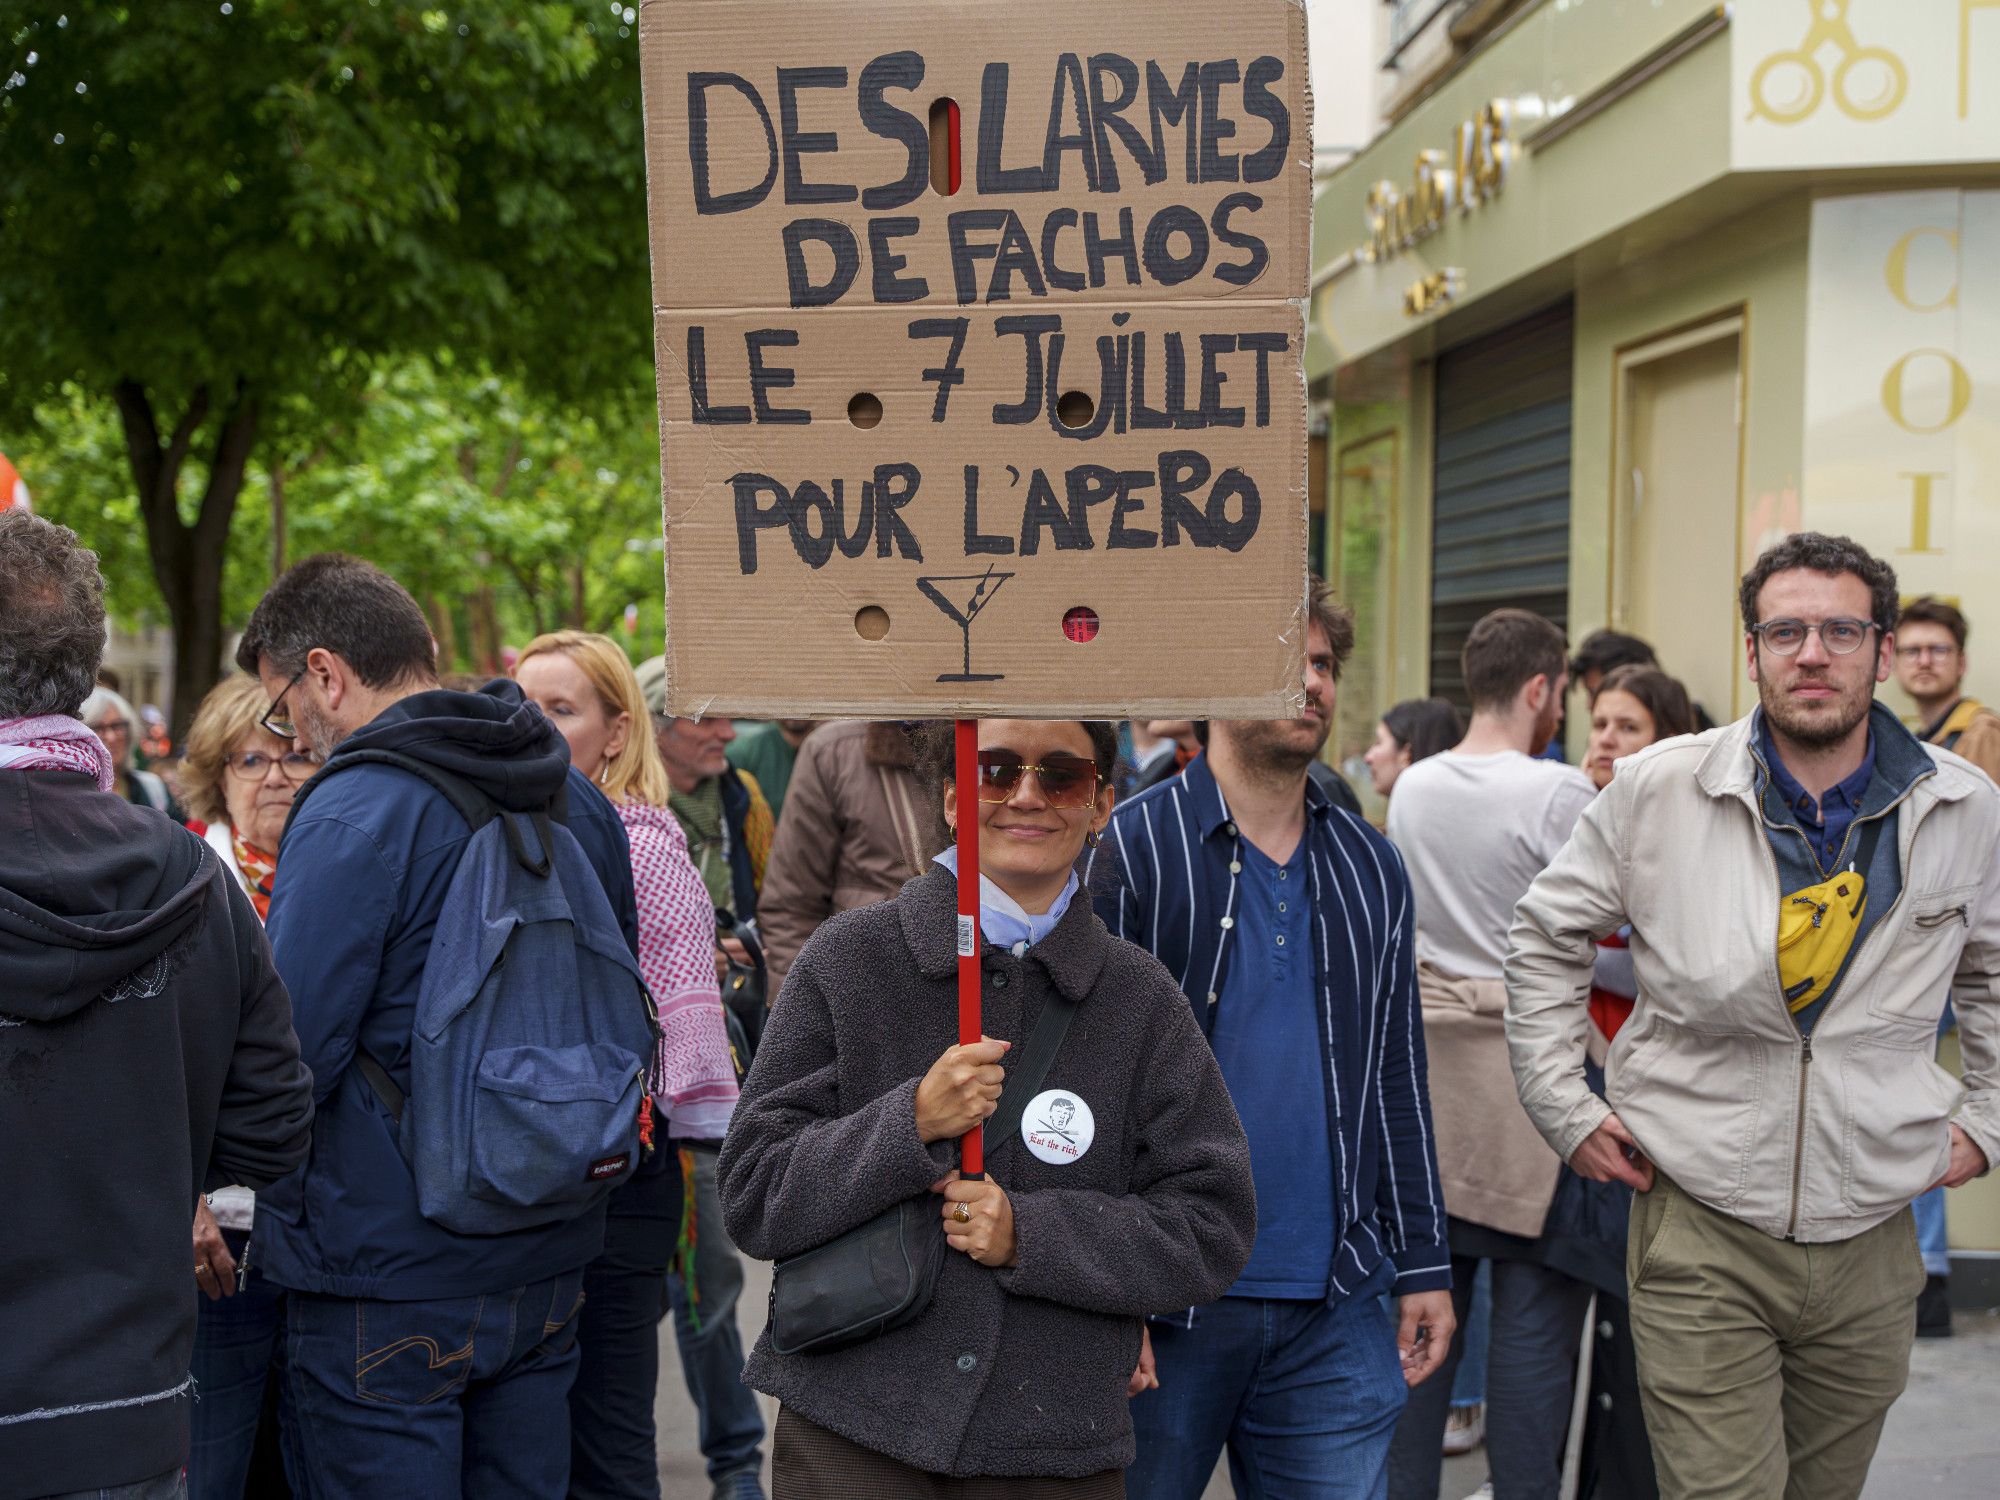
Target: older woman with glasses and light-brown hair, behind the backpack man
239, 779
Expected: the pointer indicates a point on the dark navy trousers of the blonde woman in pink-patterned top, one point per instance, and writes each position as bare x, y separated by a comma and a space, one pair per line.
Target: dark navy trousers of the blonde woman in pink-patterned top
613, 1441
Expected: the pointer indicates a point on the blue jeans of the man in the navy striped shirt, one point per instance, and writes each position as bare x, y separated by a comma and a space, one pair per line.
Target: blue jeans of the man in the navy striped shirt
1303, 1395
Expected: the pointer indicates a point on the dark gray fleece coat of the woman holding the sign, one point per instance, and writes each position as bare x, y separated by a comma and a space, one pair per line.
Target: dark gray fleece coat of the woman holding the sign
1023, 1371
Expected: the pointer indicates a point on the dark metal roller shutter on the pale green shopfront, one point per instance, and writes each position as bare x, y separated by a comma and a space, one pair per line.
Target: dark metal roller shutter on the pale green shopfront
1501, 493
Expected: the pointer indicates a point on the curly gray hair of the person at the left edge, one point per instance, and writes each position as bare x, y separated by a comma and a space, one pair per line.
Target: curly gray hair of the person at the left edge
51, 617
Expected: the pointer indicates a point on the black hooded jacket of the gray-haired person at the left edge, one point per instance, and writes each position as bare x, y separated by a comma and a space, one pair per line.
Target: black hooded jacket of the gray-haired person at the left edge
147, 1055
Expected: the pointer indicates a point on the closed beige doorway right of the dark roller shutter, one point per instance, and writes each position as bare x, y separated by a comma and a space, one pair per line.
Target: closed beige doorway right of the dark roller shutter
1677, 505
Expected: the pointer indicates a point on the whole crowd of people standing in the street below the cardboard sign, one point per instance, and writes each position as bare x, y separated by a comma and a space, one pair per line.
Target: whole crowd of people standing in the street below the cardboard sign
471, 1033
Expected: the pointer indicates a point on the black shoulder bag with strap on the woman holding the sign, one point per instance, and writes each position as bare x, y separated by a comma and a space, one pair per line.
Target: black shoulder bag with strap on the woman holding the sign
883, 1275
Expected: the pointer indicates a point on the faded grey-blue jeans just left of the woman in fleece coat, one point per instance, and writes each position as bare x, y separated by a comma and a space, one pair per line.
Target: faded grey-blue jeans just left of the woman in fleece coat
705, 1329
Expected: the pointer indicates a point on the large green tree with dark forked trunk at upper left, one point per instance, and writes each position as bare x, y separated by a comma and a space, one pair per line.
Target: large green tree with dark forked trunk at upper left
225, 219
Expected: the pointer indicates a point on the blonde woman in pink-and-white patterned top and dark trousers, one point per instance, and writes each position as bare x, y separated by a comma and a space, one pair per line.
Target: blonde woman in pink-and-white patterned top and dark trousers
587, 687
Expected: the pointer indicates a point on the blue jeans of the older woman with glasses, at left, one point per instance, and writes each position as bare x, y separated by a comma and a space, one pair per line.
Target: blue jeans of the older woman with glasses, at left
235, 1359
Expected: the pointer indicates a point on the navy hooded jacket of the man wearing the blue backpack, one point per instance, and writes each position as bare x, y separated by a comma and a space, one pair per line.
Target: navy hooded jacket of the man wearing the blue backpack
363, 873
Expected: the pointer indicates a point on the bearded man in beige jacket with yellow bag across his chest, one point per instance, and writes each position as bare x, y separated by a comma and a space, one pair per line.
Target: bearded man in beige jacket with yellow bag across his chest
1805, 887
